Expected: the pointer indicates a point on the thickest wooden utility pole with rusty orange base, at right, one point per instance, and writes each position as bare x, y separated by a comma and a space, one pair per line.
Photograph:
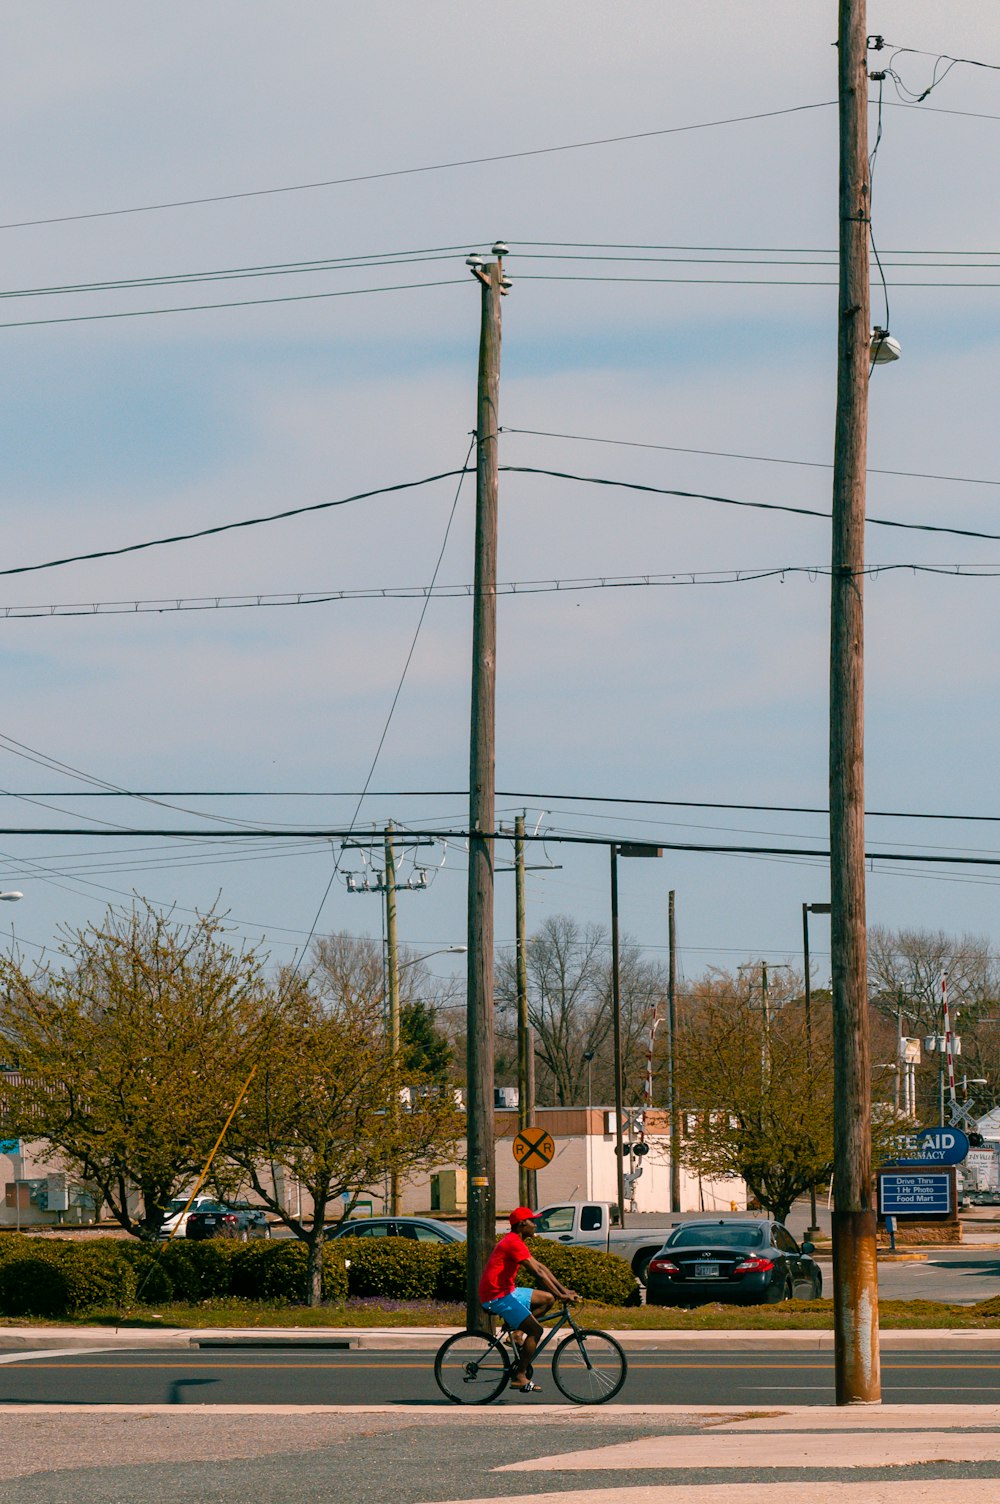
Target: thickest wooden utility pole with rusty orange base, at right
855, 1276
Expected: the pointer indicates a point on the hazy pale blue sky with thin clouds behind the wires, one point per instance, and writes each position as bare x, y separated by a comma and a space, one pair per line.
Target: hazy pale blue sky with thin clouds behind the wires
151, 145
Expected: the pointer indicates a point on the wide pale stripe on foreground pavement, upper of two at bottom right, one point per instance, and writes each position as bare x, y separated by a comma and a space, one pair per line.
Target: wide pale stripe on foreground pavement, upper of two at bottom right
775, 1451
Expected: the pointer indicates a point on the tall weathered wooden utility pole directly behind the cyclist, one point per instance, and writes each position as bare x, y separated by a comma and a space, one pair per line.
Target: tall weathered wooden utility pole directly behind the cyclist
482, 1157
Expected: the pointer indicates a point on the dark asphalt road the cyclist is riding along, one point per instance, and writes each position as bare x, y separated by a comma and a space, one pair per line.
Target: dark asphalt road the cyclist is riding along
150, 1377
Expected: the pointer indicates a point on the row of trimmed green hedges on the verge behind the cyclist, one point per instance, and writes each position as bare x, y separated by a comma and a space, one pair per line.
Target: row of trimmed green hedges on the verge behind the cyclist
58, 1278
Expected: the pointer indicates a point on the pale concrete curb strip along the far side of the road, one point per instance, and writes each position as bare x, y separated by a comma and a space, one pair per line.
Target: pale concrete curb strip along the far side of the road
428, 1339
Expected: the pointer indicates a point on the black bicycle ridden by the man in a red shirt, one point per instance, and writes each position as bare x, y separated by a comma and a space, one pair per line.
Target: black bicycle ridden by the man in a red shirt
589, 1366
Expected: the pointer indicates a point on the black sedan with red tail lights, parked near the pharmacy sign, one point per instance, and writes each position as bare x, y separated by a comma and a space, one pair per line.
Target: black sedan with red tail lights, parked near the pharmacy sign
736, 1261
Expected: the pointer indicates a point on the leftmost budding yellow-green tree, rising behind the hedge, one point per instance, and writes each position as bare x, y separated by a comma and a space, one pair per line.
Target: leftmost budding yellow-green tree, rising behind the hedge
129, 1051
